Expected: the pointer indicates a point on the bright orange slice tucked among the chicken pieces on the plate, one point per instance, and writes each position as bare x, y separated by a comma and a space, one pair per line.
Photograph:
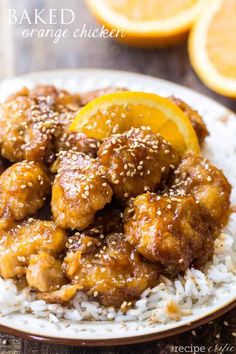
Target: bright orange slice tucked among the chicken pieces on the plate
118, 112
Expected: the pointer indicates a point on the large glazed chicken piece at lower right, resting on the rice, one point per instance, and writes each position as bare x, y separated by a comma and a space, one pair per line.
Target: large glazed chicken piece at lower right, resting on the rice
169, 231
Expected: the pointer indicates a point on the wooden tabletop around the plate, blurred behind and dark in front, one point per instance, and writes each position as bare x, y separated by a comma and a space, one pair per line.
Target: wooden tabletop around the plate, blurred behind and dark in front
26, 55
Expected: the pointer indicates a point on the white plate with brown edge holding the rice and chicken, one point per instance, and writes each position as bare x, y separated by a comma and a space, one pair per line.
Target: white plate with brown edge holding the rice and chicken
222, 126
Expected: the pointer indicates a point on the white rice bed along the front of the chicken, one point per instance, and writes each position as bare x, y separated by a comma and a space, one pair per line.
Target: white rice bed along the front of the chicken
168, 301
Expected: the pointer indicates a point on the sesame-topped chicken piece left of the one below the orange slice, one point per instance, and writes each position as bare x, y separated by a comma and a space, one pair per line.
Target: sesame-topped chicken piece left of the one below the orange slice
79, 190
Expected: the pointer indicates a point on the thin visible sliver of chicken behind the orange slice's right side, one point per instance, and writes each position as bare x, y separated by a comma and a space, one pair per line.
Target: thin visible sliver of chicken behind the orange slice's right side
197, 122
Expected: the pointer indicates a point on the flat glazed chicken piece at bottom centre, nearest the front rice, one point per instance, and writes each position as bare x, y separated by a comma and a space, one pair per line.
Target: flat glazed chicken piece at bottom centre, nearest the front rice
110, 270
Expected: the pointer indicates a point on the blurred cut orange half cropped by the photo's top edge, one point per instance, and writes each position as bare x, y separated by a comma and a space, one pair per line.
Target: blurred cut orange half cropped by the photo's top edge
147, 23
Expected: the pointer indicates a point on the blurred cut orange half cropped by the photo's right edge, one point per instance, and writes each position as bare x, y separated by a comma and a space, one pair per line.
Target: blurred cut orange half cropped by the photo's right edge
212, 47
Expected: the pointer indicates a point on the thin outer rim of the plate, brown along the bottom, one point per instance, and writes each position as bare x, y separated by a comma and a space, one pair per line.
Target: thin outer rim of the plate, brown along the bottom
215, 313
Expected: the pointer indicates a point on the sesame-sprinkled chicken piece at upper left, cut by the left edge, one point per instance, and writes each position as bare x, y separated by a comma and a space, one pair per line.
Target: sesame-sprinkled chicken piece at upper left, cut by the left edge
26, 128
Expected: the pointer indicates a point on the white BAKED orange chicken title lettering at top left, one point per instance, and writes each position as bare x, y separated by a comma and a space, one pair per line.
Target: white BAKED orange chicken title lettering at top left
56, 24
